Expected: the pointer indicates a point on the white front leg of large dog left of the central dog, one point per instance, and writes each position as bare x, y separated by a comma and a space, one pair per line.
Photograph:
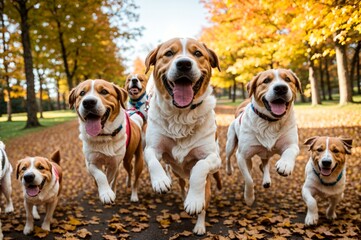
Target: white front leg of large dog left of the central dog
106, 194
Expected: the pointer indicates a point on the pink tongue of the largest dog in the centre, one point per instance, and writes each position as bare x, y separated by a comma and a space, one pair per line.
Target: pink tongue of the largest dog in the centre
183, 93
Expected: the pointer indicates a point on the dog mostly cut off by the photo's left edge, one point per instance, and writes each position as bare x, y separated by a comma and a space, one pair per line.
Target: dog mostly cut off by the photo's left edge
5, 181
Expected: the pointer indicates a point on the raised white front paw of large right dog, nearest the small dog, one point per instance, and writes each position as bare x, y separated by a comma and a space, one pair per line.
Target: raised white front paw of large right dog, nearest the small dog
287, 161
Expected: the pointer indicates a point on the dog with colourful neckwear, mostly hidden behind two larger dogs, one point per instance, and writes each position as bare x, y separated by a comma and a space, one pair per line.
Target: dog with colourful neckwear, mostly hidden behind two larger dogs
135, 85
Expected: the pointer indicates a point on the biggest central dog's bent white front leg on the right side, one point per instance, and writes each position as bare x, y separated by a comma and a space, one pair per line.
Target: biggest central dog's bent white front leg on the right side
195, 200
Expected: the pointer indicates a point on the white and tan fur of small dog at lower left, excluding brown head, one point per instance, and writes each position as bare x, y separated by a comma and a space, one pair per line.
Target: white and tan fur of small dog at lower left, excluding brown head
48, 196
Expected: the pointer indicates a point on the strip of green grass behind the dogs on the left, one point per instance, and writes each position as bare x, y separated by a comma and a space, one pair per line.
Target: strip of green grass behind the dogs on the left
9, 130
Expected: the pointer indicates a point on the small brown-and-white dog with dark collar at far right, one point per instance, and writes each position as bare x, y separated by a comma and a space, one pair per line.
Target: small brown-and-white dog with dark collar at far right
325, 174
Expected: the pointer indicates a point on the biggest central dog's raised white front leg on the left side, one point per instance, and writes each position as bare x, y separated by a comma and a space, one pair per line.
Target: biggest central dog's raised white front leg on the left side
160, 181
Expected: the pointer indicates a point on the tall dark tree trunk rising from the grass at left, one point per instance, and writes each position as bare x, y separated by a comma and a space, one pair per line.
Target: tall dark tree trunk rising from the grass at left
32, 120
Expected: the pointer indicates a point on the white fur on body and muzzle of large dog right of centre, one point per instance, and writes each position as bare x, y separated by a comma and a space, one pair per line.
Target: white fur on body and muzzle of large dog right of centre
256, 136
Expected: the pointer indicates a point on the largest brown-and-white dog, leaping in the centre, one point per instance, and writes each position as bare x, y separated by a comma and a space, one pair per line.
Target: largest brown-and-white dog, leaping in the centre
181, 122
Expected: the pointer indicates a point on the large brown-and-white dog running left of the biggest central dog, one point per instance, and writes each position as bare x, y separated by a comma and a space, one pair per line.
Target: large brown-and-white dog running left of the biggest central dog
109, 136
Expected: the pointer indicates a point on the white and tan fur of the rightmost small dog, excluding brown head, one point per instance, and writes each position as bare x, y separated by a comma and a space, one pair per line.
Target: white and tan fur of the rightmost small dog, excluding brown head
313, 187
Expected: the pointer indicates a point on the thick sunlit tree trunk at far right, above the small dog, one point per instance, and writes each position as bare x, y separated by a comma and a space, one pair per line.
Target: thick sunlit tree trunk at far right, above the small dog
344, 84
